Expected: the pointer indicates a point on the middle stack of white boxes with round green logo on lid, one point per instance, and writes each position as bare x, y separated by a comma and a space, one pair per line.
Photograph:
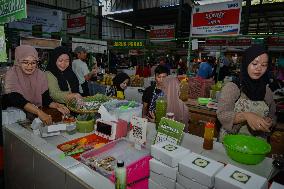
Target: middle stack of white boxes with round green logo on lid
197, 172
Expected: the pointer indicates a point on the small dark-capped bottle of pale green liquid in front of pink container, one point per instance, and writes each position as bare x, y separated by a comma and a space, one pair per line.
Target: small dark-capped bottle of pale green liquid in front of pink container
120, 175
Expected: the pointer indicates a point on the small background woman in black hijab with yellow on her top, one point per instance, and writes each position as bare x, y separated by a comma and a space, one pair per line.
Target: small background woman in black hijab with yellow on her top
120, 83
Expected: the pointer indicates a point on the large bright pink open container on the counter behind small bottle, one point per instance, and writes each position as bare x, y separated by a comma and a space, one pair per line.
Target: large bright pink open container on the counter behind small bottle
136, 161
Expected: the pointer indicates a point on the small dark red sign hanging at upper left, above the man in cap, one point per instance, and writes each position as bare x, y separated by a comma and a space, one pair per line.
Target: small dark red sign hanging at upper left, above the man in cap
76, 23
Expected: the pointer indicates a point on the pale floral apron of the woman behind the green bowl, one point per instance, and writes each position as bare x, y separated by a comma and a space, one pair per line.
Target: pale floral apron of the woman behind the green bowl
243, 104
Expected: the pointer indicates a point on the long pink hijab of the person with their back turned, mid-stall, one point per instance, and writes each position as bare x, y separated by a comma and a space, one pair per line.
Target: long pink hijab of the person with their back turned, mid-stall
174, 104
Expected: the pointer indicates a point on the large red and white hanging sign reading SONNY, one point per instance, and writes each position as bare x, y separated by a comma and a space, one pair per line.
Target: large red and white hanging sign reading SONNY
216, 19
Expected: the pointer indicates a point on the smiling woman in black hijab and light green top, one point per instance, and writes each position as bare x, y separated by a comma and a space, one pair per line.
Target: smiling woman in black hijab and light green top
62, 82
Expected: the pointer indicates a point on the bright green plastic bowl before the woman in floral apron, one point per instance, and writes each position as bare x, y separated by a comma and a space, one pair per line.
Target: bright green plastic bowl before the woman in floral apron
246, 149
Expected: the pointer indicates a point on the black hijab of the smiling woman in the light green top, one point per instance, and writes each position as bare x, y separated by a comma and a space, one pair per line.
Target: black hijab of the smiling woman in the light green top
63, 77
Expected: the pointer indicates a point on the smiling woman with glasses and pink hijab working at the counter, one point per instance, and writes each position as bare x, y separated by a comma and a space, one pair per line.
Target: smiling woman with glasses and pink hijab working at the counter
26, 86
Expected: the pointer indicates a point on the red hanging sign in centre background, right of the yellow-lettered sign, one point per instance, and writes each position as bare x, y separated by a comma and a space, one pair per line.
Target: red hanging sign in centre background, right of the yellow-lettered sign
162, 32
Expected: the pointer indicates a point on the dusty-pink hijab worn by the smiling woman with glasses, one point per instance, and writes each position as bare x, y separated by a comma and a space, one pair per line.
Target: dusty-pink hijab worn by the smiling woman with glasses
30, 86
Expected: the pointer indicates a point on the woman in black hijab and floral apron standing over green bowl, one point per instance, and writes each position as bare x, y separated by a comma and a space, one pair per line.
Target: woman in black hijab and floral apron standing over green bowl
247, 106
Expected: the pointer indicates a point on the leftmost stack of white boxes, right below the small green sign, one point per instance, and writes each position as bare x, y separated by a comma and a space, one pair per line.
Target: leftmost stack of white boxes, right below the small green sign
164, 165
